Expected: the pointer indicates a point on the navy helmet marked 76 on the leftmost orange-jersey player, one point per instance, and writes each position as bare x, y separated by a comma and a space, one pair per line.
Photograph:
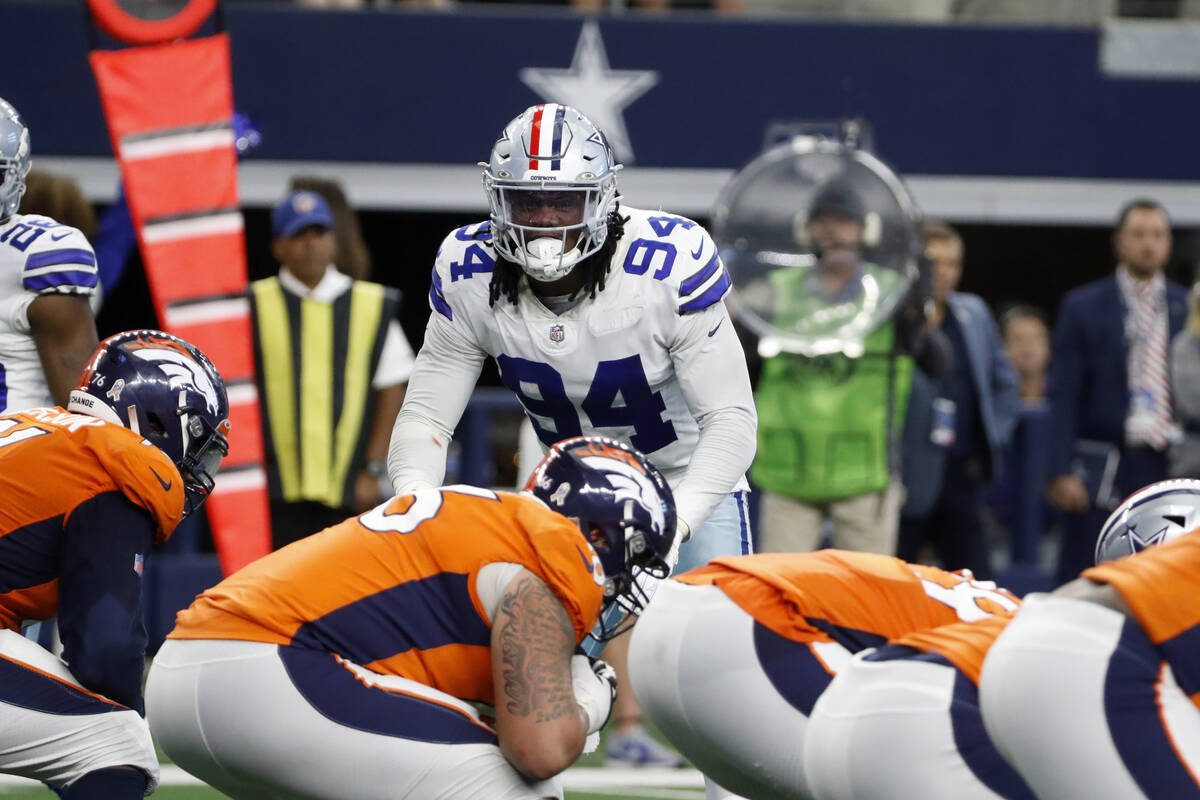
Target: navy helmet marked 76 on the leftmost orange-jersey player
166, 390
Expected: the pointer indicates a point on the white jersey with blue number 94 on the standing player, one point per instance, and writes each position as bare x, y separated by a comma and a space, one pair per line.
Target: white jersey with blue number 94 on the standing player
640, 363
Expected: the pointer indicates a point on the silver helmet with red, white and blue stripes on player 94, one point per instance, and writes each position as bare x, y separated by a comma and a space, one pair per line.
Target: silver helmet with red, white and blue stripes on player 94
551, 183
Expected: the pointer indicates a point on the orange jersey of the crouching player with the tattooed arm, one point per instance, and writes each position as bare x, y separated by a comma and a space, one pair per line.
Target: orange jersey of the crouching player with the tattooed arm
394, 590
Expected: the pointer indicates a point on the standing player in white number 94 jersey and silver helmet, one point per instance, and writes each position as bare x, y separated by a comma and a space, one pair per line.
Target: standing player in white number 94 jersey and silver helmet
603, 320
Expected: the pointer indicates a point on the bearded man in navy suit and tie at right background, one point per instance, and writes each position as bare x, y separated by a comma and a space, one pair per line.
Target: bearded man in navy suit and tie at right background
1109, 382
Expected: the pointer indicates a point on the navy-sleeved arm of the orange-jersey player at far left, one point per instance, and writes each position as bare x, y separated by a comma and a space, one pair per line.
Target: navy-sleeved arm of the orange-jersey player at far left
100, 597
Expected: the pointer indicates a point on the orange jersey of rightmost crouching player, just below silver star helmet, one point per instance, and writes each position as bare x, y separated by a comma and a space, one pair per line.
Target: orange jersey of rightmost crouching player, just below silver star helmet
1160, 586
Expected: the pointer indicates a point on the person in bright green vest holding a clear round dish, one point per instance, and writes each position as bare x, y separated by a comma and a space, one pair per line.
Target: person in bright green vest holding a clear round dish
823, 243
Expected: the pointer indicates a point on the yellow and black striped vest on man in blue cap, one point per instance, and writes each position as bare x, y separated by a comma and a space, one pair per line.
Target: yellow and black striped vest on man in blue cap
316, 362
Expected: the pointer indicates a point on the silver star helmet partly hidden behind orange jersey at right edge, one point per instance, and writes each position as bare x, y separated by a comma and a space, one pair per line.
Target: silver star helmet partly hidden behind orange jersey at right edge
1151, 516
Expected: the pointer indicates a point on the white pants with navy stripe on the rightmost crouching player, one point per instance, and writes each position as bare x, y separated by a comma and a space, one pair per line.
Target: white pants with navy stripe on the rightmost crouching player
1081, 703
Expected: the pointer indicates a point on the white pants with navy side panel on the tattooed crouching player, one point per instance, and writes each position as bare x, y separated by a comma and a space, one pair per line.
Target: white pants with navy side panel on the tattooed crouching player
238, 717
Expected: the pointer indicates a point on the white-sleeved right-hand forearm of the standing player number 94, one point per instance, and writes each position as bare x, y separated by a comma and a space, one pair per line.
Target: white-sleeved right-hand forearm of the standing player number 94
721, 461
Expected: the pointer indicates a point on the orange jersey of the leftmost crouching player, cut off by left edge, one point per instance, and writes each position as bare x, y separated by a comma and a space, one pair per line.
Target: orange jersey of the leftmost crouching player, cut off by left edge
51, 462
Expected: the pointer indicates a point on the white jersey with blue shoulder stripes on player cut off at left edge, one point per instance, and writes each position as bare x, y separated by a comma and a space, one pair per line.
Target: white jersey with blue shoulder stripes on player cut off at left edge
38, 256
